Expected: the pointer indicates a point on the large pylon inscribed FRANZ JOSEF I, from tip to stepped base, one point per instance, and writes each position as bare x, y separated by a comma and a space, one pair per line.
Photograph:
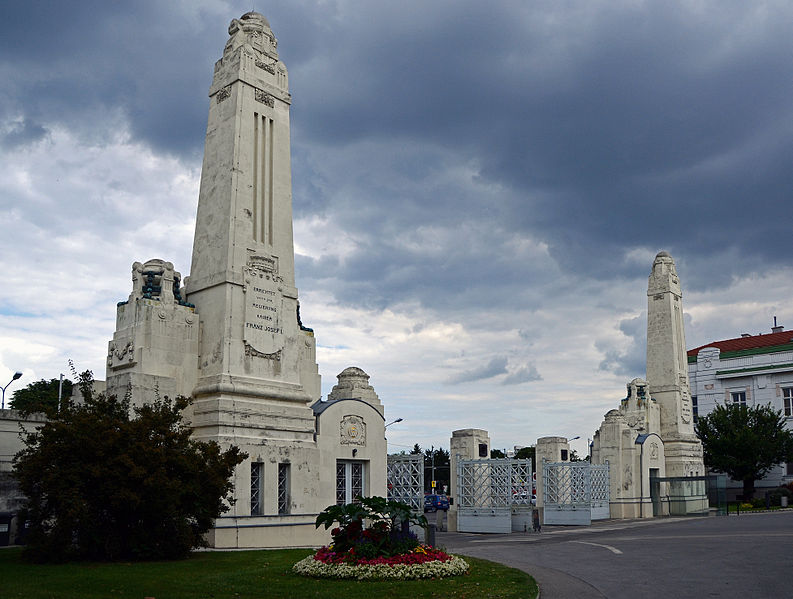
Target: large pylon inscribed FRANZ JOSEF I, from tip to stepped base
257, 371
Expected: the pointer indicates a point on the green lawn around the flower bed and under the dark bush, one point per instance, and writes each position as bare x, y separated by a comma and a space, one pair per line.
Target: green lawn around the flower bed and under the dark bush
238, 575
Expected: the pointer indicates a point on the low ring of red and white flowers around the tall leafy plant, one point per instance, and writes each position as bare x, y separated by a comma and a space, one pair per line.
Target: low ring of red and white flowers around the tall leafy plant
422, 562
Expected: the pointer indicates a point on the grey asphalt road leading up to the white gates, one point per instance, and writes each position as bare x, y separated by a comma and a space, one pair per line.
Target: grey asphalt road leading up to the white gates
737, 556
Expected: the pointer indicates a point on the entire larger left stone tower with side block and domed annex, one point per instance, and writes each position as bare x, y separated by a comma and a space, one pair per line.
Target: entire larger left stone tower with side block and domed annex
232, 337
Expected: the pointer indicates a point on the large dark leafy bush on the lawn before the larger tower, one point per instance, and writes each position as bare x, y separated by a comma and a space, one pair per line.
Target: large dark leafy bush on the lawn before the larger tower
104, 484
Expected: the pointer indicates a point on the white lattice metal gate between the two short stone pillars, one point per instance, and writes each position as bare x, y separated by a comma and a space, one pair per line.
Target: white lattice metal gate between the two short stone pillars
491, 493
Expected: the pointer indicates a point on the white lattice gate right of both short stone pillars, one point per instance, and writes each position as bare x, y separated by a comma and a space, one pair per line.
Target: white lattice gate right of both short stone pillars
575, 492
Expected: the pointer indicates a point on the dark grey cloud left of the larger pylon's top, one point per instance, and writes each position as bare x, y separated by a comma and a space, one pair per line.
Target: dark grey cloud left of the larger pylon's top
72, 63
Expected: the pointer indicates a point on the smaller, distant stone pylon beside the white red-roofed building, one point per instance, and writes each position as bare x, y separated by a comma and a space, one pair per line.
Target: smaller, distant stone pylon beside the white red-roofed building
667, 369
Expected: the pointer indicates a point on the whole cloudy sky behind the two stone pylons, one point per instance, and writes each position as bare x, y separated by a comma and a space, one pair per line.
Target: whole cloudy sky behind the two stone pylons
479, 187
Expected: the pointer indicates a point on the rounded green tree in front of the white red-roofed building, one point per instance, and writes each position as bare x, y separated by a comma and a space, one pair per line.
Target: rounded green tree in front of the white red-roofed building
745, 442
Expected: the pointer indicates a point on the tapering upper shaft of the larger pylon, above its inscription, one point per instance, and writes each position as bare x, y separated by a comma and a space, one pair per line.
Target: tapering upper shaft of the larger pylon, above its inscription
245, 201
